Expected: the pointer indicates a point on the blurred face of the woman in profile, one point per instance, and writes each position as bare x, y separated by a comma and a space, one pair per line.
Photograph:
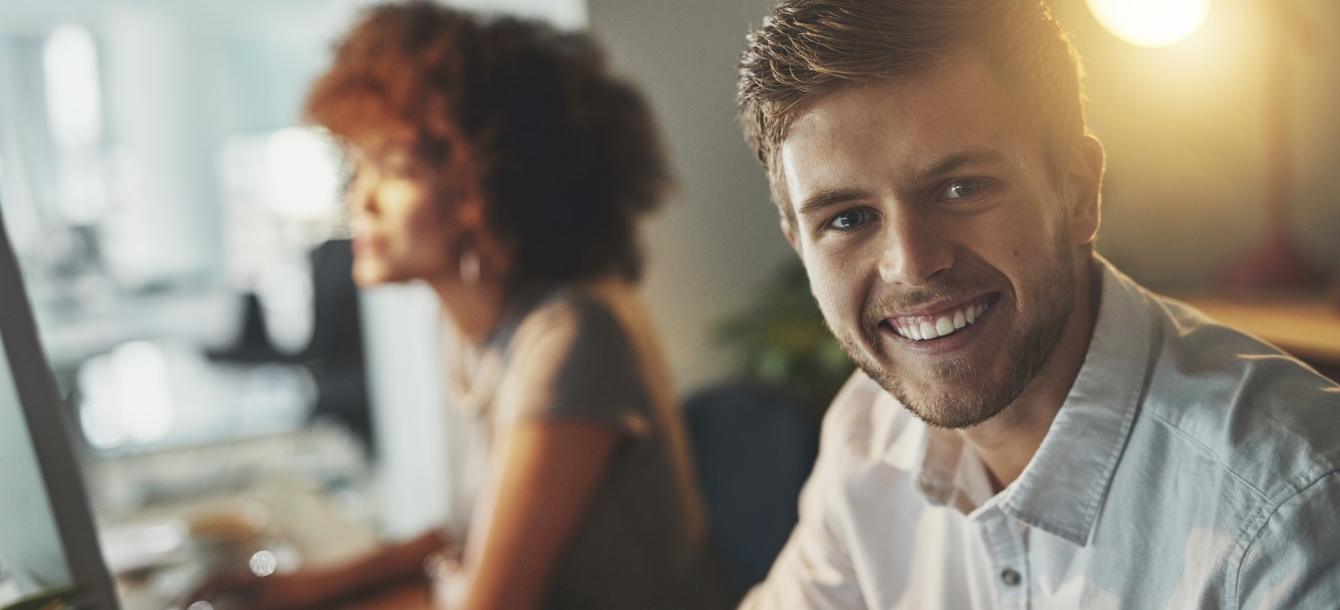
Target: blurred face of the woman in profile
400, 230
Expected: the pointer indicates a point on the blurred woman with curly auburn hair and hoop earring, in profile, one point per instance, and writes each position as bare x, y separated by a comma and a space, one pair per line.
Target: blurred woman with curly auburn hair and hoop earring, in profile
500, 163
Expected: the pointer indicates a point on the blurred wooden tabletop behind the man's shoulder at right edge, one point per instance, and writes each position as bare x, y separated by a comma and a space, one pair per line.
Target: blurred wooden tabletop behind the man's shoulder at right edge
1309, 329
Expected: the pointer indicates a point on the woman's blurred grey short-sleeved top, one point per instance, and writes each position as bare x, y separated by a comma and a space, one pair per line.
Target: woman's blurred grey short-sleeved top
645, 544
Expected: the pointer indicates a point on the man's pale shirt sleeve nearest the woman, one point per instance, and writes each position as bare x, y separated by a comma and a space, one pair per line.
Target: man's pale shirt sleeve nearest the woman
815, 570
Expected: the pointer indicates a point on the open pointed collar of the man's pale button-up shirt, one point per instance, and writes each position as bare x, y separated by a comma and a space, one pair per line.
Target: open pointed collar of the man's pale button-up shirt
1063, 487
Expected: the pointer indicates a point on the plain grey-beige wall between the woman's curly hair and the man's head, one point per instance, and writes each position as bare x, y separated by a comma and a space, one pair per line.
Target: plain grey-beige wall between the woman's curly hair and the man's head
719, 238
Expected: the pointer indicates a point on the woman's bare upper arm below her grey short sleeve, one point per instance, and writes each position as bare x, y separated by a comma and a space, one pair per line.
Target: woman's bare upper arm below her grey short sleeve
550, 471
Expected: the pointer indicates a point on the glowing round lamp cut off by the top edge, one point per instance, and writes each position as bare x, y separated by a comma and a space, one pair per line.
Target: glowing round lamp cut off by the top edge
1150, 23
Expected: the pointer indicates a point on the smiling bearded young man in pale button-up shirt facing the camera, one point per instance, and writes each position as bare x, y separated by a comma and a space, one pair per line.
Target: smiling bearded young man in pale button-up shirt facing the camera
1030, 427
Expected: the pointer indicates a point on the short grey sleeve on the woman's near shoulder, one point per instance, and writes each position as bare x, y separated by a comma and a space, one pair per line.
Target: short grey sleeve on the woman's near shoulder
574, 360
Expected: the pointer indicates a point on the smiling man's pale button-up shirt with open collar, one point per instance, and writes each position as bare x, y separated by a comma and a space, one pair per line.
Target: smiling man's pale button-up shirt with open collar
1191, 467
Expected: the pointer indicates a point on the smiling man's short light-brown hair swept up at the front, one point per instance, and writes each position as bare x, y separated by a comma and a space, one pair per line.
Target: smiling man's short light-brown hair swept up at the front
813, 48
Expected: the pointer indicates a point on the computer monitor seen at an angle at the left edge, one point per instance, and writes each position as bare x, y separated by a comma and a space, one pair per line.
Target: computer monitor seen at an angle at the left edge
48, 534
